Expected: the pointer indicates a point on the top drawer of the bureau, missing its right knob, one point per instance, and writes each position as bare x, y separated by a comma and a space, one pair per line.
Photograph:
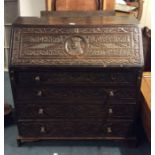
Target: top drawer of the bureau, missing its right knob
74, 76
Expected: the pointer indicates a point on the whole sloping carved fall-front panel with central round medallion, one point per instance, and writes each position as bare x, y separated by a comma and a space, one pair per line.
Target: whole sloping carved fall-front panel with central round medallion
107, 45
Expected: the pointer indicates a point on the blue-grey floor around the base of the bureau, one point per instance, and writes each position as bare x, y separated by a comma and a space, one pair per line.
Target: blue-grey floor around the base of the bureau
65, 148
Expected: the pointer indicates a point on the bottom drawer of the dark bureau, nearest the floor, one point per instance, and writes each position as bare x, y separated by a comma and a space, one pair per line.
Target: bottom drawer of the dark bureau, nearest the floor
76, 128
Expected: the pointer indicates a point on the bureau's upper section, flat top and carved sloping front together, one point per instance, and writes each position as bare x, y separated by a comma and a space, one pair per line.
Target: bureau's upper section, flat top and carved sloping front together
85, 41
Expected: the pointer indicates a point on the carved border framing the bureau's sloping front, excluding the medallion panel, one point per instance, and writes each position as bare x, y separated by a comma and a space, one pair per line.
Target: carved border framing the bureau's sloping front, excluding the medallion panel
135, 57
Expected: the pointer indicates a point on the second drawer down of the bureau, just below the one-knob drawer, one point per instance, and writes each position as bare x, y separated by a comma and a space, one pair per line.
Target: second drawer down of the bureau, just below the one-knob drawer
74, 93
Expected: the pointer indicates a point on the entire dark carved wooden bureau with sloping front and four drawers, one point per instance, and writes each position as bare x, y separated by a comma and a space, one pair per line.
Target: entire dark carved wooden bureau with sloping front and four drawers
76, 78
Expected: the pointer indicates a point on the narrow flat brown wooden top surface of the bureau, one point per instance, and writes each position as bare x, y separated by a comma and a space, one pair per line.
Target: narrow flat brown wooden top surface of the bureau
91, 20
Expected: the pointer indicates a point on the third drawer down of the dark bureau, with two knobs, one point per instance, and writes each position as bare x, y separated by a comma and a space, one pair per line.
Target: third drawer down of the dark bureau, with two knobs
71, 110
